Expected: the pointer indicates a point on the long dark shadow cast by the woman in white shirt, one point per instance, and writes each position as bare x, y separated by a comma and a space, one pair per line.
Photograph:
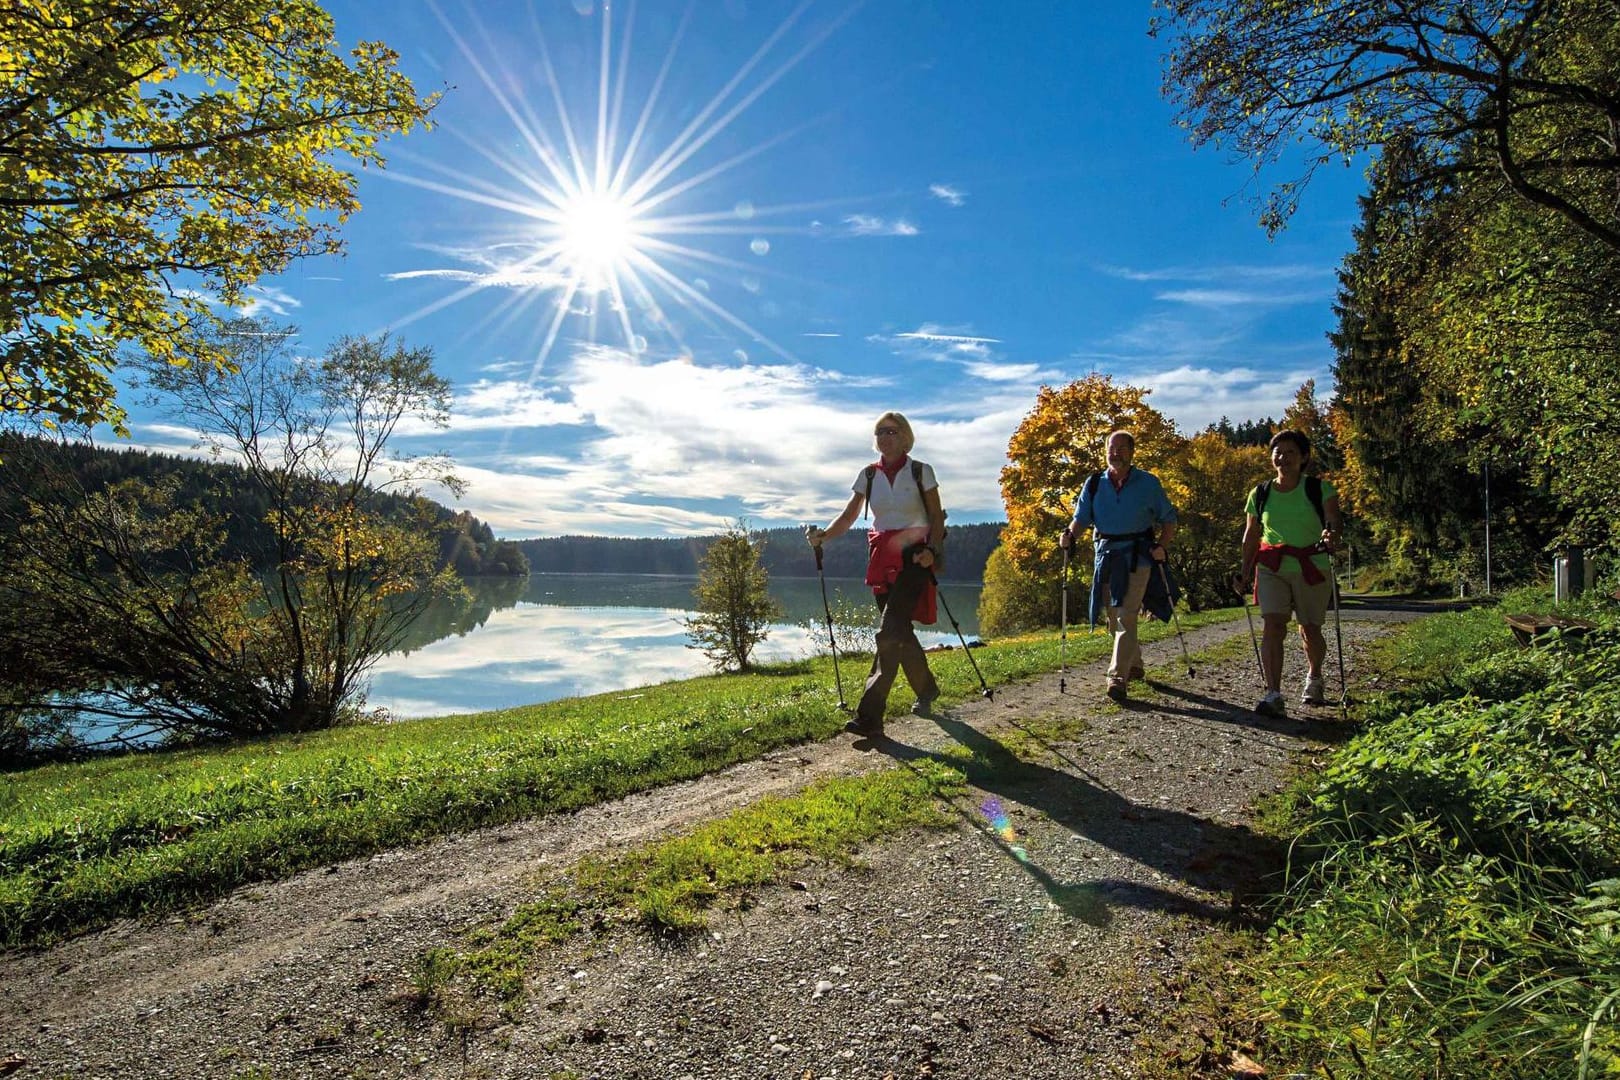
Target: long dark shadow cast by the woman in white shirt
1200, 853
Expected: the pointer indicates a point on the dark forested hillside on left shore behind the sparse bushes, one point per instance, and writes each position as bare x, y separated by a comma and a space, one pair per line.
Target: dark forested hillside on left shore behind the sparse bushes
241, 508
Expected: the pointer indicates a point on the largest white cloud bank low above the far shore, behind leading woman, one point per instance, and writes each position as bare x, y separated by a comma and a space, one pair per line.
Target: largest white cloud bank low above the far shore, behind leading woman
670, 446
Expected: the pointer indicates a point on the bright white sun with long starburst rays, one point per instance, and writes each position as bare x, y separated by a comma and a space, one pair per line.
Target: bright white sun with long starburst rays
605, 219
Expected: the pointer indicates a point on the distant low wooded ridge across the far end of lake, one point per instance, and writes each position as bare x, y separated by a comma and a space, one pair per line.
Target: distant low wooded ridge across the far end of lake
787, 555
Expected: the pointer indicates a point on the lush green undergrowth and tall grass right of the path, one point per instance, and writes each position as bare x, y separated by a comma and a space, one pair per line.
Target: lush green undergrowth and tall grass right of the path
1456, 898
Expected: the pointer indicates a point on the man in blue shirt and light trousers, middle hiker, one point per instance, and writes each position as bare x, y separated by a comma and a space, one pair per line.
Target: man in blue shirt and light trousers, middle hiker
1123, 506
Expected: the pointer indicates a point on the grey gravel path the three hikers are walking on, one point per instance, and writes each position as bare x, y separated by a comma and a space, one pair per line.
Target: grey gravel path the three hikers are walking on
961, 953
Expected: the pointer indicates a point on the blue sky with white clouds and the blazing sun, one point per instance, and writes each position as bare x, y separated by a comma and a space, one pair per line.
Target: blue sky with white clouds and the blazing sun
825, 211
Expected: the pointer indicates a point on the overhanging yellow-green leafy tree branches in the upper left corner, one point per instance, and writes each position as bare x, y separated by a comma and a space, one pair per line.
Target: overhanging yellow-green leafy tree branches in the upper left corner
160, 158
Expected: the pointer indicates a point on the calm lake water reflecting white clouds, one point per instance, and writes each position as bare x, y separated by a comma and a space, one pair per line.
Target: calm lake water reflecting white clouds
563, 636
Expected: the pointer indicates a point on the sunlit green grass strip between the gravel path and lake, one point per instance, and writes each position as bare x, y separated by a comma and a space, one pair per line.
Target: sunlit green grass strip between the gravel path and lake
85, 844
